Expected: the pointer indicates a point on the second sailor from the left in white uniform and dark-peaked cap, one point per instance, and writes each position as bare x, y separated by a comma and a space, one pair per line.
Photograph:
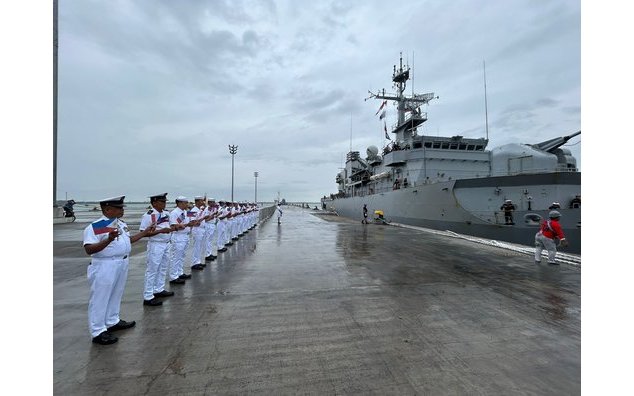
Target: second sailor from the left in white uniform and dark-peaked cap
158, 251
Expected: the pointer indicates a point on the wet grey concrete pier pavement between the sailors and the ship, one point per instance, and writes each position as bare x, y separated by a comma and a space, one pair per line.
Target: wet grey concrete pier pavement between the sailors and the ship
326, 305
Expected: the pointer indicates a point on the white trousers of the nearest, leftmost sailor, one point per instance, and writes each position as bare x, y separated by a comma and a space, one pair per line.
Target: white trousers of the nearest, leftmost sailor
106, 277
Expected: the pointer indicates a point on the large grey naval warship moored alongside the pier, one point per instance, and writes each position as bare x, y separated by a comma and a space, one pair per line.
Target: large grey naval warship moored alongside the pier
455, 183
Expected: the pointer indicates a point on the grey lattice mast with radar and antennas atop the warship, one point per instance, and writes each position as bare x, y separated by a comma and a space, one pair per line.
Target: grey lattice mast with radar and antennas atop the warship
405, 104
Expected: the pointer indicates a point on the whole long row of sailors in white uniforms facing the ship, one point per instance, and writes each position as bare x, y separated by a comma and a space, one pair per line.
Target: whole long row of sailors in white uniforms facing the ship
211, 226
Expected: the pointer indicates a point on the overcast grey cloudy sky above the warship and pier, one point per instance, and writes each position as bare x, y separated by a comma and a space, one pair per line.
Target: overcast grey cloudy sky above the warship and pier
151, 93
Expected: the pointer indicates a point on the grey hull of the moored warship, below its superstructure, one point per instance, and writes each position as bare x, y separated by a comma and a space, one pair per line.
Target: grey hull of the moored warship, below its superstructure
471, 206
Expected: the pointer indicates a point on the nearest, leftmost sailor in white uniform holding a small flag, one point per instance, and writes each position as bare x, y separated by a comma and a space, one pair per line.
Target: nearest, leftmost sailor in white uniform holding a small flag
108, 242
